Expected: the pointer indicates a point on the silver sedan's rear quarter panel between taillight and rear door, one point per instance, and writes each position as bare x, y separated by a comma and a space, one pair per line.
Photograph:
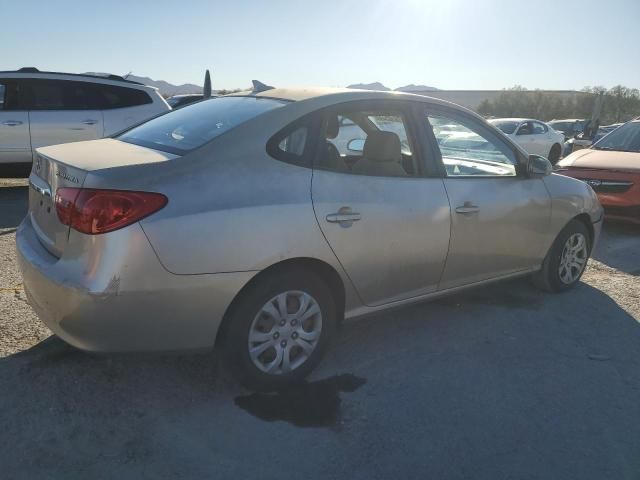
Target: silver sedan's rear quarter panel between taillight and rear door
233, 208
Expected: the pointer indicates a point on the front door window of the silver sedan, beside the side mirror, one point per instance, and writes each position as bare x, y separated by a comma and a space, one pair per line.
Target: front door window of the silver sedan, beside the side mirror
469, 150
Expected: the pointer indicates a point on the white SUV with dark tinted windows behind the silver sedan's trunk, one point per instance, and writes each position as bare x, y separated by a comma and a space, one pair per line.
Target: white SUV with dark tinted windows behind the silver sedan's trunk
45, 108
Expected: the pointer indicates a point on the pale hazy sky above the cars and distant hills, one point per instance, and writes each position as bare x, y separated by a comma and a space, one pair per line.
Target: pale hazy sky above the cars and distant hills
449, 44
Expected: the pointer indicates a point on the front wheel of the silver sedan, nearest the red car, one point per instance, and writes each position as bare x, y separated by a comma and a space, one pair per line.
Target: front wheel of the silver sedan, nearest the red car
567, 259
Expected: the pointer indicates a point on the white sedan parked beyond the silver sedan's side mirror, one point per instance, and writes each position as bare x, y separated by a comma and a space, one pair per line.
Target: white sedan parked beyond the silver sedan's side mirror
536, 137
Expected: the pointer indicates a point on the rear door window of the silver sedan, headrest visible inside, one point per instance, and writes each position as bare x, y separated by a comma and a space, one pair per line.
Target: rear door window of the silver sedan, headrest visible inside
366, 142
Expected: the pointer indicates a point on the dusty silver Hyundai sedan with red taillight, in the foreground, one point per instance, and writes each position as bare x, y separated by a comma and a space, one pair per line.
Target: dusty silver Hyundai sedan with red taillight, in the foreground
258, 221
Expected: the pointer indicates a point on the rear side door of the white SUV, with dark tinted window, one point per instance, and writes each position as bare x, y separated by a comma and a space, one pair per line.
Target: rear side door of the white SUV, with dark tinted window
63, 111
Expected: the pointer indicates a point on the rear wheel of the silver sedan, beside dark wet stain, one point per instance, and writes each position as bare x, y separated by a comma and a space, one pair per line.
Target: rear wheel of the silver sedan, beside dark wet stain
279, 329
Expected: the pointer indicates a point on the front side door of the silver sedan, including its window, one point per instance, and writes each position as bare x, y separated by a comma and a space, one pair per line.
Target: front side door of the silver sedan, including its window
500, 217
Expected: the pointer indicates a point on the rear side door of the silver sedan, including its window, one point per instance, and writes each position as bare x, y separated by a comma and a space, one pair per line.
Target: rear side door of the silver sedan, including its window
386, 221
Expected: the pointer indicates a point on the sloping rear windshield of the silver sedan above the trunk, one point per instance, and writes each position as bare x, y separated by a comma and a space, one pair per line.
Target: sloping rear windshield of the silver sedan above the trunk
190, 127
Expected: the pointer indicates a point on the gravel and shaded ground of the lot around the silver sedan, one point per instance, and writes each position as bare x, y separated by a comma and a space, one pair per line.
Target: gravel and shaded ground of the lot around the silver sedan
501, 382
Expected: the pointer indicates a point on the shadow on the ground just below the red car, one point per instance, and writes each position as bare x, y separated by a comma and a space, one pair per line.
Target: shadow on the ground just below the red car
619, 247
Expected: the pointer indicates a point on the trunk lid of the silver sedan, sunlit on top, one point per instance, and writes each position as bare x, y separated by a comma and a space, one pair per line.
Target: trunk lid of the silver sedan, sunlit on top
68, 165
